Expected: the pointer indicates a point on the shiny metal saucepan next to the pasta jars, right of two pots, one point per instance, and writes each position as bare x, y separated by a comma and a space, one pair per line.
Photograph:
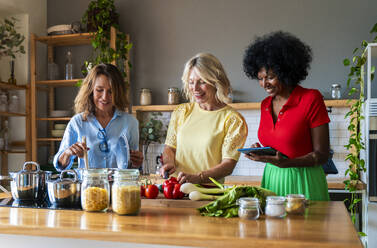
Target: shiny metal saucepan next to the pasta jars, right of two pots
65, 192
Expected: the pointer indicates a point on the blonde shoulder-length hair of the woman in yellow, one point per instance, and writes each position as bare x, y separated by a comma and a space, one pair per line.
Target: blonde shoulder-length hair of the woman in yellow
211, 71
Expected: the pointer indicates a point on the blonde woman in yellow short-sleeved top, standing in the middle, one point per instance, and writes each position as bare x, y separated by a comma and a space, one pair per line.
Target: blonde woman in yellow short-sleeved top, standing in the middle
204, 135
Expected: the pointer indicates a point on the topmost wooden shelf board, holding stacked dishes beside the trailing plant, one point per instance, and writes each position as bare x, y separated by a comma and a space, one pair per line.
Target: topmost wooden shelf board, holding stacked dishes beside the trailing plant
66, 40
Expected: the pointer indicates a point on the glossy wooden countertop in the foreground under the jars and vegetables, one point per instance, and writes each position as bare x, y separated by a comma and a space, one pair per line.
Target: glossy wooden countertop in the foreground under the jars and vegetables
325, 224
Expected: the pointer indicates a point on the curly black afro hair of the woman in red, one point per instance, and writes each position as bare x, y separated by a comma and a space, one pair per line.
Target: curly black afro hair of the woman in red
287, 56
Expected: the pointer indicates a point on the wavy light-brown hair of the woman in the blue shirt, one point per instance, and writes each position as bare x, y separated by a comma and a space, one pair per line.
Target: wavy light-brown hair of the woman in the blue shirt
84, 100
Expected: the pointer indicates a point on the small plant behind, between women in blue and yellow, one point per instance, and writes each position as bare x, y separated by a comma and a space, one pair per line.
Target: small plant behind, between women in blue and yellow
151, 131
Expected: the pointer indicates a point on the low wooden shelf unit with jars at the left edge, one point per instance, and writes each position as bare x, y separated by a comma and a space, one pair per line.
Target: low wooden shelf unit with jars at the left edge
21, 147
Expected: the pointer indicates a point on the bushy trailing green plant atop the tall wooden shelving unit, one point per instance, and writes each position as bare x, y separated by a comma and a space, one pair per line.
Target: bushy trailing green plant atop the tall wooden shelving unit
100, 16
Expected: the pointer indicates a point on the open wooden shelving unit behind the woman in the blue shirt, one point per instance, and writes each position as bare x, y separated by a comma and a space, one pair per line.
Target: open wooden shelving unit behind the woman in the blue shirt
48, 86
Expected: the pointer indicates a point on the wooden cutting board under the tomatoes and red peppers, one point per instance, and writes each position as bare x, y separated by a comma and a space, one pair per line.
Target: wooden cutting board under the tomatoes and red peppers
161, 201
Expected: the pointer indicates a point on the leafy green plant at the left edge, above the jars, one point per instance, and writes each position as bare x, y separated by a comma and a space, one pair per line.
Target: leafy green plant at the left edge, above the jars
10, 39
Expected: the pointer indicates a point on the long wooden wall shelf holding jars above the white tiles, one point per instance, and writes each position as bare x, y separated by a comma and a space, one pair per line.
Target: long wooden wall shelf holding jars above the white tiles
238, 106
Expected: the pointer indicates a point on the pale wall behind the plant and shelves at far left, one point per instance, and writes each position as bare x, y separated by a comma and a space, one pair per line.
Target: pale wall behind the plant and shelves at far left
32, 17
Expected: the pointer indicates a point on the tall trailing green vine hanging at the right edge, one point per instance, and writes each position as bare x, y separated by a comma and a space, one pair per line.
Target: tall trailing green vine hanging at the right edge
356, 85
